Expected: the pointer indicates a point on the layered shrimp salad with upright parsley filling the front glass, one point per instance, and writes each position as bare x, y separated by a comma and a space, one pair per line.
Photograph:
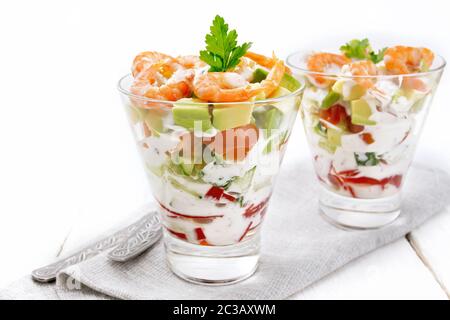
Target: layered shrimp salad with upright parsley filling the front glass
212, 130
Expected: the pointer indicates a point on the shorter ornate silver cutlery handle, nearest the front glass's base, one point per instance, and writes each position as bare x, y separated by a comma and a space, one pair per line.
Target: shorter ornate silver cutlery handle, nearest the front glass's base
139, 241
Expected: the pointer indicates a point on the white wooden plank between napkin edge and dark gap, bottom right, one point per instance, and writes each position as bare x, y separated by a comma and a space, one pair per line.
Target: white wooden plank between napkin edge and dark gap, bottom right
391, 272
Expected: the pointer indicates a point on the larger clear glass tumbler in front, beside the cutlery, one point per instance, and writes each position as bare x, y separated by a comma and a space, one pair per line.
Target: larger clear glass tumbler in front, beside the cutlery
211, 168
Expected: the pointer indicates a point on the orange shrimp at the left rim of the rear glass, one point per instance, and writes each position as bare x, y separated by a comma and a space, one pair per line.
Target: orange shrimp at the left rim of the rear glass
322, 62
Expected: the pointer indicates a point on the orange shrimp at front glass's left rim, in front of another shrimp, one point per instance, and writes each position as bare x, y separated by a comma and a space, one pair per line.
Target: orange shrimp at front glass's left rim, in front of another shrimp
151, 84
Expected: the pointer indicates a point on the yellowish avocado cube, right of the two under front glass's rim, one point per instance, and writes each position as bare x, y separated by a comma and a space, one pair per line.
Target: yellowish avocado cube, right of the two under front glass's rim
232, 116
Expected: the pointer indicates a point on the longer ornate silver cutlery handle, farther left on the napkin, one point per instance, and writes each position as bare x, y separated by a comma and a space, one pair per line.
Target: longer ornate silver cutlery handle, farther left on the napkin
48, 273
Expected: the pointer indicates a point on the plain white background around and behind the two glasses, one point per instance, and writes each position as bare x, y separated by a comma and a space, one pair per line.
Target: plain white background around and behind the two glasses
68, 162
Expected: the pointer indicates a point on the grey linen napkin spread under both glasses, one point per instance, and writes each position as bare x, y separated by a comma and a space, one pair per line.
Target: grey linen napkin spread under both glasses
298, 248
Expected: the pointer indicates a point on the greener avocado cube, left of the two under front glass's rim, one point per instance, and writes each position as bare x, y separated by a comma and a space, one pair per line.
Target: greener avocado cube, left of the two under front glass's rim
190, 115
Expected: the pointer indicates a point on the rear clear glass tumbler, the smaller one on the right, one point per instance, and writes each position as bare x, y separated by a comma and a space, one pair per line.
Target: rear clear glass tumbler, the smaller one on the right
362, 132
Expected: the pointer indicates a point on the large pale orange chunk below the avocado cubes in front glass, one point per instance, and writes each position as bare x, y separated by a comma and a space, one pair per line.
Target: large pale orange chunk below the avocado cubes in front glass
235, 144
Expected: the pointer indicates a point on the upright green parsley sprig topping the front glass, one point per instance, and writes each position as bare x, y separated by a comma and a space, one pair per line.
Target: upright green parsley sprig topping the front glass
222, 52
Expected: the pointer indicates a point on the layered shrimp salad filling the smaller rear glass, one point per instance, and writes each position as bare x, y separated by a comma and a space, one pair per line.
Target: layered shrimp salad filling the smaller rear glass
362, 113
